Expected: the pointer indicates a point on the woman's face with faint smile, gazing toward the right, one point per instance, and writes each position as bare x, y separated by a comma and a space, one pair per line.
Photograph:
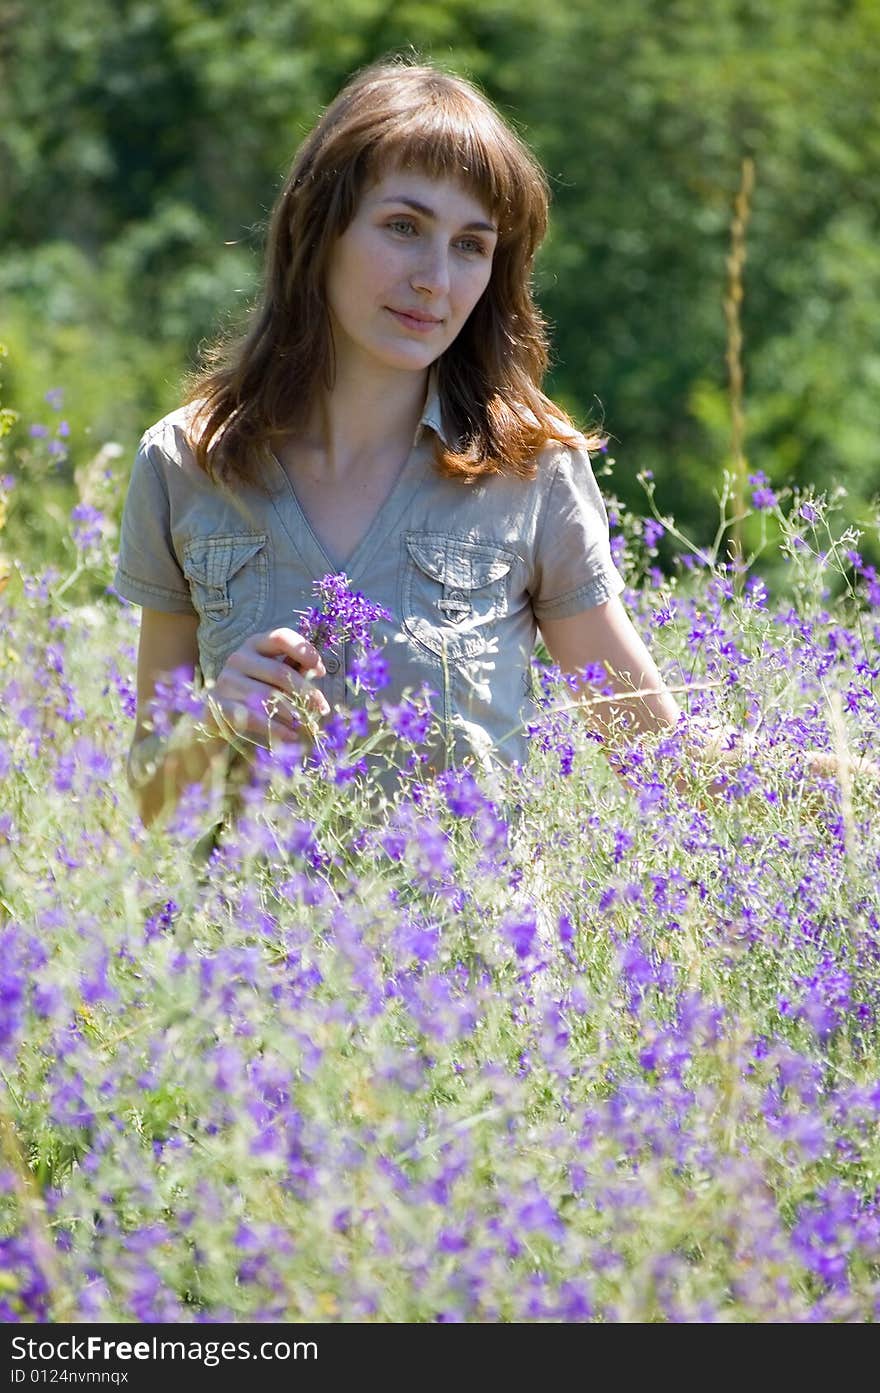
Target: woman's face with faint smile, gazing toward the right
409, 271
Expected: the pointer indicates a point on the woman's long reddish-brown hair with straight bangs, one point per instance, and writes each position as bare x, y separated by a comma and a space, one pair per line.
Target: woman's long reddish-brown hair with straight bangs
392, 115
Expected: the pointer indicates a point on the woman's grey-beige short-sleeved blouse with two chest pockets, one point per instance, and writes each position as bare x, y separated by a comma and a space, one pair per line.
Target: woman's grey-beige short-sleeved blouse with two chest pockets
467, 570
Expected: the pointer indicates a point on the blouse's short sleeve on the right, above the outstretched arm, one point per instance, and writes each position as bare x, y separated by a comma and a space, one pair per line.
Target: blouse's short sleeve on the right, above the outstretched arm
573, 569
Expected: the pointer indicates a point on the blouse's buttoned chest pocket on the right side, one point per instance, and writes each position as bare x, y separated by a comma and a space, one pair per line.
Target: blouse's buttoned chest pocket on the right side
455, 593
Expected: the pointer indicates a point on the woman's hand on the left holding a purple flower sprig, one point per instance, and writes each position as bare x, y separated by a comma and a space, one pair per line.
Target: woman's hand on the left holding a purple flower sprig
265, 689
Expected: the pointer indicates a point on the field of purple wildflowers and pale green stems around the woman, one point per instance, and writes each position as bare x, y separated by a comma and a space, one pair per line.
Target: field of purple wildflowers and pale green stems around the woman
563, 1047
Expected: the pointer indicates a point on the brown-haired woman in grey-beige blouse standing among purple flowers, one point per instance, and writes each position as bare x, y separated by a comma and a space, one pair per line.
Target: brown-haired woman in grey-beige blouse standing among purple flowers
382, 416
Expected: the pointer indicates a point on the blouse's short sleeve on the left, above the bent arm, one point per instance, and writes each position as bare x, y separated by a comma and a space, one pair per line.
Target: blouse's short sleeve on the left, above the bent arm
148, 572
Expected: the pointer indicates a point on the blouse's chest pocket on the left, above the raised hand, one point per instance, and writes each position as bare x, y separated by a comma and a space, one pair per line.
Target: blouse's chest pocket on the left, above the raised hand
229, 579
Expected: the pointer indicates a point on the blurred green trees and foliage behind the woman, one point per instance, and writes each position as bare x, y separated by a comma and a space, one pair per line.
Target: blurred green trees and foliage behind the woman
143, 144
